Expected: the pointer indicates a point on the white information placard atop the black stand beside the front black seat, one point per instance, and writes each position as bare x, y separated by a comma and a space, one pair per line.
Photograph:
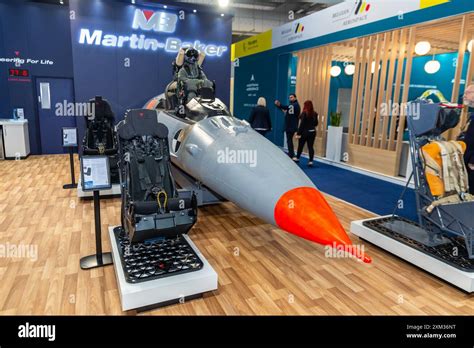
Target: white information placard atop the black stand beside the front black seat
95, 172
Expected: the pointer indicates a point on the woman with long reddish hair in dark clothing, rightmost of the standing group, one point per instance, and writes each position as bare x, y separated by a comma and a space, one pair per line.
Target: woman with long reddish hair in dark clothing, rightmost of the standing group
307, 131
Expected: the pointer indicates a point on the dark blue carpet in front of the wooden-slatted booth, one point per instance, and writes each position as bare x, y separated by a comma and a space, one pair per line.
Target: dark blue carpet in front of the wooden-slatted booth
375, 195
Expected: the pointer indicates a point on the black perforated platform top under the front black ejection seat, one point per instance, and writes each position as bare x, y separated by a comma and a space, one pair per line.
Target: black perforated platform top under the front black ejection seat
155, 259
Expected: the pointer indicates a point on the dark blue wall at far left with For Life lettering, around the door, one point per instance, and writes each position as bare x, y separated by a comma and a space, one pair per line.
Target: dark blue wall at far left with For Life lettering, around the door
36, 31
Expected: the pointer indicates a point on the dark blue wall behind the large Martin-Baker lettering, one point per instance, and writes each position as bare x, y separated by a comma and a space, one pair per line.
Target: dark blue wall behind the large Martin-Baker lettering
100, 70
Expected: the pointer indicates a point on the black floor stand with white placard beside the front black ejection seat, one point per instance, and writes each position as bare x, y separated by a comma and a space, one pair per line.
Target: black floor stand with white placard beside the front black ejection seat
95, 176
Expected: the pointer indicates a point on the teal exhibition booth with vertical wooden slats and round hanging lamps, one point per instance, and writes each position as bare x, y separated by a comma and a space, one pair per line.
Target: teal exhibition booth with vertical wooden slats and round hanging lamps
345, 60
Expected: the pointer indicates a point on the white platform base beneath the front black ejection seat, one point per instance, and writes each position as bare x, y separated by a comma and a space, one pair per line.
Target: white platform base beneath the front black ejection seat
160, 291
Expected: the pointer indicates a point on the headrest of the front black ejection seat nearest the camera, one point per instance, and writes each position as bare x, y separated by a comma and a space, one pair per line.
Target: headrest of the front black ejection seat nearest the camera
140, 122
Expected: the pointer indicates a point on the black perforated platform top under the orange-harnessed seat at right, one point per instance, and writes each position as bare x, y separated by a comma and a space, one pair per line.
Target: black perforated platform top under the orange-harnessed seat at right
454, 253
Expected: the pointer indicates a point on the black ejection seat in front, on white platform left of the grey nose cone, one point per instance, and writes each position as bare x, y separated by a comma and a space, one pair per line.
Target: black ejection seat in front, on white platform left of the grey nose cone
152, 206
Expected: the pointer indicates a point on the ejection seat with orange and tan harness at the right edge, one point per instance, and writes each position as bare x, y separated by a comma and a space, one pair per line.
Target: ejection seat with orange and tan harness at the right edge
443, 201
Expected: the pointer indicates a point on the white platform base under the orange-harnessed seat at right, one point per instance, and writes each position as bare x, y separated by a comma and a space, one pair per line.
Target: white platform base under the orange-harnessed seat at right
463, 280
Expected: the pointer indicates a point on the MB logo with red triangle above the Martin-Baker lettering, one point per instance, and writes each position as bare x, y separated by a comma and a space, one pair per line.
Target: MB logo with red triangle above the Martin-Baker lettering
157, 21
